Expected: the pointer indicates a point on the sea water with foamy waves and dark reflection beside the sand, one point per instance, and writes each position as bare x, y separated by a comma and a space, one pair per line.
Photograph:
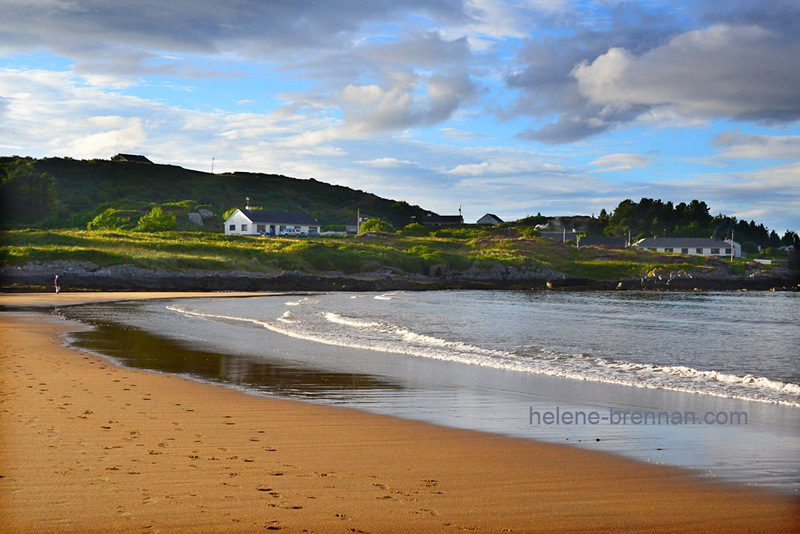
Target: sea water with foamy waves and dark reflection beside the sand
706, 381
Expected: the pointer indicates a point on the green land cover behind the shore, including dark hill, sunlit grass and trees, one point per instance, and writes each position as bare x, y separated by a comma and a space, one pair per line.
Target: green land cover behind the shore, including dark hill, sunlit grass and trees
111, 213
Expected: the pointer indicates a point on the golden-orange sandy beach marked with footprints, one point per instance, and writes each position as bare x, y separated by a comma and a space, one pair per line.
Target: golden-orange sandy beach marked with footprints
87, 446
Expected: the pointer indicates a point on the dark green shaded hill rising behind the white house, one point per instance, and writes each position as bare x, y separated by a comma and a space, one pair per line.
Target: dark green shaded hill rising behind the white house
68, 193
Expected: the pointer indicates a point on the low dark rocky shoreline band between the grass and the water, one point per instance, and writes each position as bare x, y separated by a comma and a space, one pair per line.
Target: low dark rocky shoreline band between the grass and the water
85, 276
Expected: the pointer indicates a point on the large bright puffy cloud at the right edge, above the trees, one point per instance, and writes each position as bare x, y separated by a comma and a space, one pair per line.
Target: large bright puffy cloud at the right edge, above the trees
721, 71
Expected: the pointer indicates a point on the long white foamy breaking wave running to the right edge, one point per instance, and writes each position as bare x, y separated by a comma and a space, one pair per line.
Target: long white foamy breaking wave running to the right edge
385, 337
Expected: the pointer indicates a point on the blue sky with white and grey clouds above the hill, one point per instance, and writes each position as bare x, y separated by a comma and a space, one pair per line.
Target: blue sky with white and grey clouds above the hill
517, 107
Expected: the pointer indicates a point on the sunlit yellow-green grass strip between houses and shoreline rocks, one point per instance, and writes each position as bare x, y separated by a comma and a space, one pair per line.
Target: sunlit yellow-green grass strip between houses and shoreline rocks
350, 255
